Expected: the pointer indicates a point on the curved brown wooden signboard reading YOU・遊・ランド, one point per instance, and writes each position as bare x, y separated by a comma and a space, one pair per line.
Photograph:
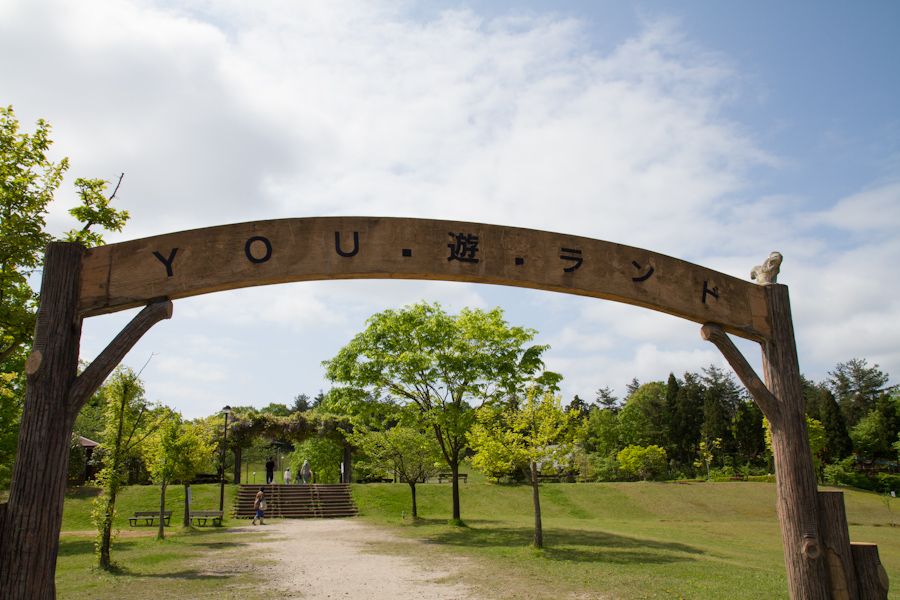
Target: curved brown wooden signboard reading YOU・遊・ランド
188, 263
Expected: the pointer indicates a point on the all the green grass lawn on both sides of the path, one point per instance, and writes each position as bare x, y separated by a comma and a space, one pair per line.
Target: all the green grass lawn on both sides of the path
618, 540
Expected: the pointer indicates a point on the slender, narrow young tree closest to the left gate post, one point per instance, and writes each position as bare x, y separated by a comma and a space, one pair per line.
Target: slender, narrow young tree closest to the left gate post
129, 421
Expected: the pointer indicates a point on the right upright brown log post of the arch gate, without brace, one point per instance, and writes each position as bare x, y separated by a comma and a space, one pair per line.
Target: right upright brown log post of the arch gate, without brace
794, 472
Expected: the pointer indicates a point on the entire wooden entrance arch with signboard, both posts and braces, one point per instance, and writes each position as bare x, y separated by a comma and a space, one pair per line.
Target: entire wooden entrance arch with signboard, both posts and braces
819, 558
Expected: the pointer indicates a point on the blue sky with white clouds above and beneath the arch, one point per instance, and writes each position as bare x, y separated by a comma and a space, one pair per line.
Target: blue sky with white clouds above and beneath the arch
711, 131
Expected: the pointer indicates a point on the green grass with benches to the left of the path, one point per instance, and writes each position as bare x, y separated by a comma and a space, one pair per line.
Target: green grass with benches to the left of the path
202, 562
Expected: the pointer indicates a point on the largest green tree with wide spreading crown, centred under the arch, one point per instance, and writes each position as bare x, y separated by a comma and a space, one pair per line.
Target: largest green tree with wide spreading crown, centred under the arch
442, 364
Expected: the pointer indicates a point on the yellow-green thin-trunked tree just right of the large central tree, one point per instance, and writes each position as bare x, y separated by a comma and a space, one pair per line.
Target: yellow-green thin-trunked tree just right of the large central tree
530, 433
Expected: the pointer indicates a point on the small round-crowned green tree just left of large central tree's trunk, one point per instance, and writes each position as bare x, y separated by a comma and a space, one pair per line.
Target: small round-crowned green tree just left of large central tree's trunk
403, 449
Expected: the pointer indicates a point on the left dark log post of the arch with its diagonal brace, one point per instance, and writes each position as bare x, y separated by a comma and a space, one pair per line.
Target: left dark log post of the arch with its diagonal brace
29, 530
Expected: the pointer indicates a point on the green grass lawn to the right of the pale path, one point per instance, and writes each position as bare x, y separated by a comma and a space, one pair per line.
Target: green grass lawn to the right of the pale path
619, 540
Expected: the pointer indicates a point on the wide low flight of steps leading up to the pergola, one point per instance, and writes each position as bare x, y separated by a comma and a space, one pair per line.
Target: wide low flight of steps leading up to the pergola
314, 501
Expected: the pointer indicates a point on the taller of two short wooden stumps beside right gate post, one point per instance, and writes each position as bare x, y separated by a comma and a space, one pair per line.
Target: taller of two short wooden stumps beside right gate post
836, 546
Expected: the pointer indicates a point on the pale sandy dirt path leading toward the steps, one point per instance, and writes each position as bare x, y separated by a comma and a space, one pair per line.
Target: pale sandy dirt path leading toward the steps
337, 558
